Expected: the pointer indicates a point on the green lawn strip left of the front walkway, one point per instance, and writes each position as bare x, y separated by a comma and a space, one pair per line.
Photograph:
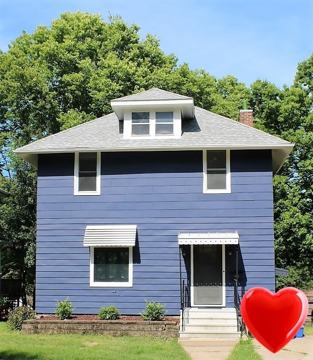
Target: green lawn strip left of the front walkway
18, 346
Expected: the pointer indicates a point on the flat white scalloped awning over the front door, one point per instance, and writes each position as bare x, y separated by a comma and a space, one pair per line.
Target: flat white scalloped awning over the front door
208, 238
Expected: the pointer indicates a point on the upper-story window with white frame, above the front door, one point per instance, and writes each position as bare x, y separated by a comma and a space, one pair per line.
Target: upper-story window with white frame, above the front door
216, 171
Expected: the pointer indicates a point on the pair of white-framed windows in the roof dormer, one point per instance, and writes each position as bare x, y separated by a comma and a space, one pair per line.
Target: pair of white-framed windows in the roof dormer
152, 124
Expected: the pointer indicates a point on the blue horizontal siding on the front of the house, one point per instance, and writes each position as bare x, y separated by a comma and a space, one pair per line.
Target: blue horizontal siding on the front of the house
161, 192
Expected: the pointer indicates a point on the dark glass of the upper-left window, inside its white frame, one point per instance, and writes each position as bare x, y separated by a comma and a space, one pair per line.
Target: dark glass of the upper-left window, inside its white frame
87, 172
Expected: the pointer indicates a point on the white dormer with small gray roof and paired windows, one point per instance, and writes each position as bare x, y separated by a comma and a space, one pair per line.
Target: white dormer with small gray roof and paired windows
154, 114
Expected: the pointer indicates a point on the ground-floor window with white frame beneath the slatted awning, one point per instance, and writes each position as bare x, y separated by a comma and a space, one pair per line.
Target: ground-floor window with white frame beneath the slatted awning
111, 266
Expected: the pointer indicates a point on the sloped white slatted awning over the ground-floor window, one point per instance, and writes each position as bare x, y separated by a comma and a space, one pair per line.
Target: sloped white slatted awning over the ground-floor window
110, 235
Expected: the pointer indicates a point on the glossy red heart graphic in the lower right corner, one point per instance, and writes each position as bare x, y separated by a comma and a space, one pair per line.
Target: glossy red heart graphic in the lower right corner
274, 319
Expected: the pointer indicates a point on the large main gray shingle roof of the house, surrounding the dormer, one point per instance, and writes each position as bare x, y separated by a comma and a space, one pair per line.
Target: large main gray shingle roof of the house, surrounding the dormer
206, 130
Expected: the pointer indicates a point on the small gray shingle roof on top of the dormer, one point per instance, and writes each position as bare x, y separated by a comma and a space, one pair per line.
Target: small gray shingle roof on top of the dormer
153, 94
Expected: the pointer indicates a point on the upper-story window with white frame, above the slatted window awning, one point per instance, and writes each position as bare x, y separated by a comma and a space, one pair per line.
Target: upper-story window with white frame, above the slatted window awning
87, 173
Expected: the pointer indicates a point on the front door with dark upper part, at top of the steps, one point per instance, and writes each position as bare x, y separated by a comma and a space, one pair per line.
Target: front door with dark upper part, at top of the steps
208, 275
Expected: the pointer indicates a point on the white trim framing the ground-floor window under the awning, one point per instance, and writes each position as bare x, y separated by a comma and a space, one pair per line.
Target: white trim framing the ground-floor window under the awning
107, 283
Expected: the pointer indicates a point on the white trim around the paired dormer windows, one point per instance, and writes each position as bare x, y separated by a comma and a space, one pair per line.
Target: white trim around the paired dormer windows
127, 134
